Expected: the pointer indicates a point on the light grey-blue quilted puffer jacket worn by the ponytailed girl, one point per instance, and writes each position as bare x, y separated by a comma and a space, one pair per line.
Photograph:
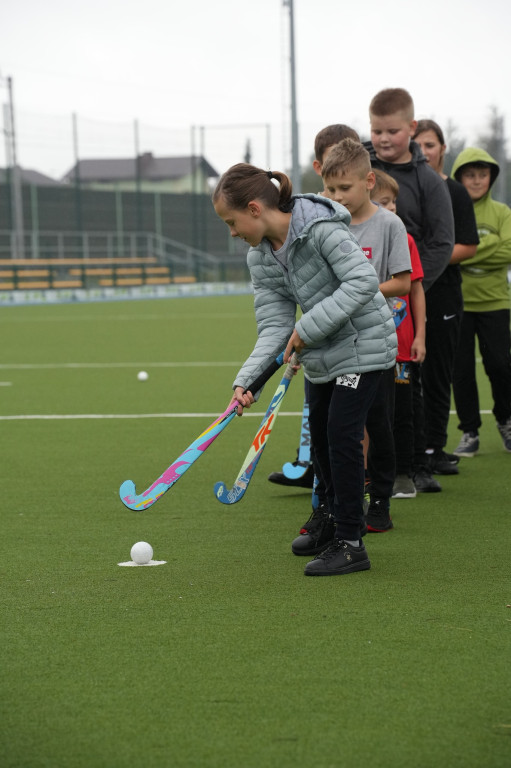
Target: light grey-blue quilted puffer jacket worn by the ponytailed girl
346, 322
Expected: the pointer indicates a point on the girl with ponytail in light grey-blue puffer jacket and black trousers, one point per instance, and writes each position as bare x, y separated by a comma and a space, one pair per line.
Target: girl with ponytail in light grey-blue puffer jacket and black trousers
302, 254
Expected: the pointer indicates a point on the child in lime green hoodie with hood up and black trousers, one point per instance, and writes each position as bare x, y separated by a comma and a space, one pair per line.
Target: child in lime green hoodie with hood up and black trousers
486, 311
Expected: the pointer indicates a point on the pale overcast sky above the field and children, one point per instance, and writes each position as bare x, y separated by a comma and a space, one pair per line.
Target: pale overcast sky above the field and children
165, 66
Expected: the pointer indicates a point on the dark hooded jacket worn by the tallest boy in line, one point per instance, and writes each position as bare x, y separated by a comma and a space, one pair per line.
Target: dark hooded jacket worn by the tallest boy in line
424, 205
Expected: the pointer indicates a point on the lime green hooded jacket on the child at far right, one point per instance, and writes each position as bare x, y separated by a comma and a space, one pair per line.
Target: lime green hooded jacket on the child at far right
485, 285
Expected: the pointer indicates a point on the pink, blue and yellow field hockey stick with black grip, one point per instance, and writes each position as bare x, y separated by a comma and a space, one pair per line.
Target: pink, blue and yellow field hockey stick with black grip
127, 491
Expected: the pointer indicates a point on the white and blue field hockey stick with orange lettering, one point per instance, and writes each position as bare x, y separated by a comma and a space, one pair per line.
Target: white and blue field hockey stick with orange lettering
255, 451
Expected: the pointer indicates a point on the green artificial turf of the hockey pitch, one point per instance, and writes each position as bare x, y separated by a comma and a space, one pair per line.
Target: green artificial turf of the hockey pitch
227, 656
